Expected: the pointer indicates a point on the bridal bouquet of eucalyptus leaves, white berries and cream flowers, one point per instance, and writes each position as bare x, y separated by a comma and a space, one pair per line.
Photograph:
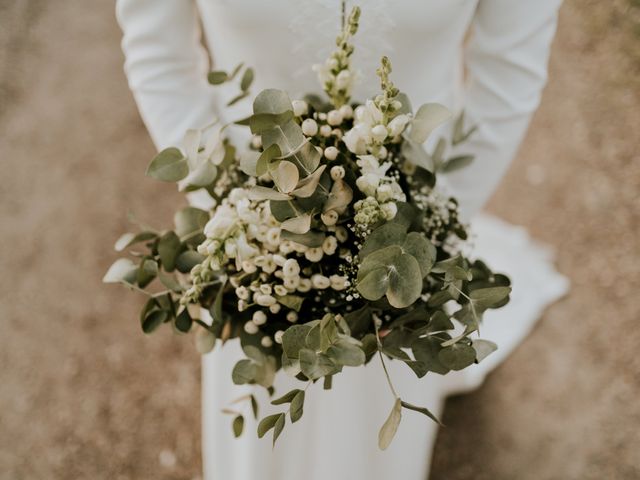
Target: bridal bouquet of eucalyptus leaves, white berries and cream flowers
328, 245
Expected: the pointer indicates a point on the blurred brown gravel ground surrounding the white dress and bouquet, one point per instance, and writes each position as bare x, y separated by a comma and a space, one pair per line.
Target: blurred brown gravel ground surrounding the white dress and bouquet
84, 394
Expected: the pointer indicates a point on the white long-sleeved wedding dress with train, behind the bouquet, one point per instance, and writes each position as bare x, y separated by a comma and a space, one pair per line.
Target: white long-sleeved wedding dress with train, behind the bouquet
505, 62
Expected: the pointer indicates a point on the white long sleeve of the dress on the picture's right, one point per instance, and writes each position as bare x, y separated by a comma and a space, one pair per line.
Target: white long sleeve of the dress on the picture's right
506, 62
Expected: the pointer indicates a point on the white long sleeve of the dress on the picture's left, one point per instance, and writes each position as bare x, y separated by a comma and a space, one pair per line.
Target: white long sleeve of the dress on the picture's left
166, 66
